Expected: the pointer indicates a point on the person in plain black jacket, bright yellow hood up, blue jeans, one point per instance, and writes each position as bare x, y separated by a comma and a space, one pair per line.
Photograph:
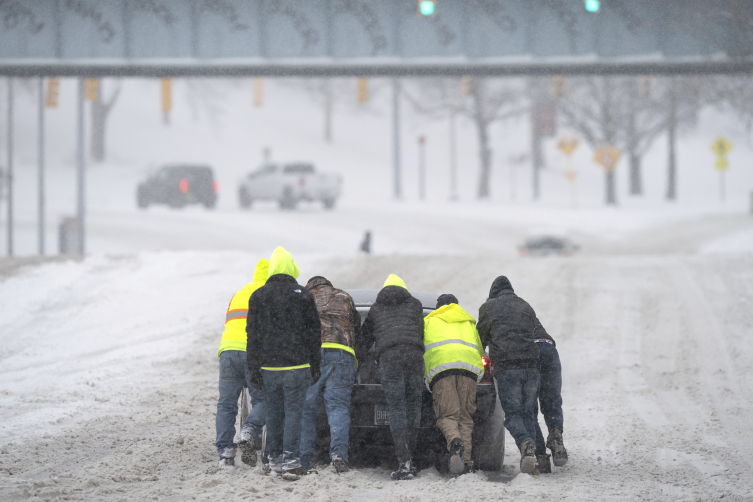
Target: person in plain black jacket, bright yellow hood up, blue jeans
284, 343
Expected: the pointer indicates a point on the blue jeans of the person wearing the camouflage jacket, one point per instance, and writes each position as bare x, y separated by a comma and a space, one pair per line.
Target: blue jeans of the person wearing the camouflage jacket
336, 385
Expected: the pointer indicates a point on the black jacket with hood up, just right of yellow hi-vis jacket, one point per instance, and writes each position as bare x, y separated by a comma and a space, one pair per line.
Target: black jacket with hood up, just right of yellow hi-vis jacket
509, 326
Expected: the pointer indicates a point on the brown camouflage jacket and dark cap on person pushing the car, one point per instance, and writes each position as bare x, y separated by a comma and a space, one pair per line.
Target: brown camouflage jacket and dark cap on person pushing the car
337, 313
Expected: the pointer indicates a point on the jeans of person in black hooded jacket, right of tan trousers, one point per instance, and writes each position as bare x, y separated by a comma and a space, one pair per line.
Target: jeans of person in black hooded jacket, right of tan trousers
518, 392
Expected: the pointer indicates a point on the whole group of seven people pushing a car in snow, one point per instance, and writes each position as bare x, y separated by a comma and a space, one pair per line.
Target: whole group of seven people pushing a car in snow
290, 344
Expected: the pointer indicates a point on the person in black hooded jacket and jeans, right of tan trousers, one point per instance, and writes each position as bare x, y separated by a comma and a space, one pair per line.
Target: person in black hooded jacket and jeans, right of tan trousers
508, 325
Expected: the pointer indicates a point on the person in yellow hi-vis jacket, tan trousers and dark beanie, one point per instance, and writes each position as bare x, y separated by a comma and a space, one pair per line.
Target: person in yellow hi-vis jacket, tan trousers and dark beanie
453, 363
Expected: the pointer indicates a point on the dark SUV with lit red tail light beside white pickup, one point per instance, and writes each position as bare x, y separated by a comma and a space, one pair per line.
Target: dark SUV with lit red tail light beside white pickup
178, 185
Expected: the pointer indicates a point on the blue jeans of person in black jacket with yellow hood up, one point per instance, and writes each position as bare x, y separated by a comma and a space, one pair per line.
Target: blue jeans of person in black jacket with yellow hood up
285, 395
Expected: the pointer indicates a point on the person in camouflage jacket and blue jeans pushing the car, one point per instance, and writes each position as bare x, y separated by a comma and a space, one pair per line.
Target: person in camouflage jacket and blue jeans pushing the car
340, 325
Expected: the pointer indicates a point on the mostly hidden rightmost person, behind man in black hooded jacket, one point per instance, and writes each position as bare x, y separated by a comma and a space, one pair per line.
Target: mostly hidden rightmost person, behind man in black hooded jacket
550, 399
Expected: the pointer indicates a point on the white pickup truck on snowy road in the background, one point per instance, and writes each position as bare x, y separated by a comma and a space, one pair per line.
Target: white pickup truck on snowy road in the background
289, 184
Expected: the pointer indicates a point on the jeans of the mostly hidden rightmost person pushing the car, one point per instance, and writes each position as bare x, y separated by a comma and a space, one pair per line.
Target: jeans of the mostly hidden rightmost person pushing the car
550, 393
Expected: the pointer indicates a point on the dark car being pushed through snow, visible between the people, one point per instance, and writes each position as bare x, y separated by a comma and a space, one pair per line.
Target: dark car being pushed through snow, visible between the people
370, 438
